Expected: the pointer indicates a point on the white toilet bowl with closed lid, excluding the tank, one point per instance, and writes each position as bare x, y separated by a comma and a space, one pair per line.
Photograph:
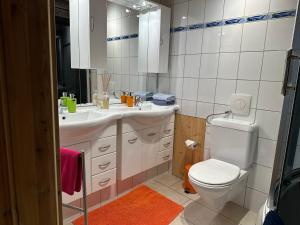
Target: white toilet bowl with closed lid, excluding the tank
217, 182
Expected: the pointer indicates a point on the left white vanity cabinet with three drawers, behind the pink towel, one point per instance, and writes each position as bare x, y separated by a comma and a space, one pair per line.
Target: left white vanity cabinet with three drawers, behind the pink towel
100, 159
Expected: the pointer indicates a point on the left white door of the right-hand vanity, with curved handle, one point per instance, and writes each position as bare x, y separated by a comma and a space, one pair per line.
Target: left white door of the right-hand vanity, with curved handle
131, 155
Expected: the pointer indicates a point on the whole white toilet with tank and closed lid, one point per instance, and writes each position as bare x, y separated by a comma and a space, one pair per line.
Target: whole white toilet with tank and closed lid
232, 150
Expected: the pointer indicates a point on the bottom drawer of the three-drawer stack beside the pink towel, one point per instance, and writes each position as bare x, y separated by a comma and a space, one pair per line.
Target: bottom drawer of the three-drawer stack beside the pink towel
103, 180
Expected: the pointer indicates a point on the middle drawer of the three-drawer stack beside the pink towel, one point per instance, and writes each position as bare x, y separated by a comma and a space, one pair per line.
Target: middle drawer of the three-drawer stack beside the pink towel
103, 163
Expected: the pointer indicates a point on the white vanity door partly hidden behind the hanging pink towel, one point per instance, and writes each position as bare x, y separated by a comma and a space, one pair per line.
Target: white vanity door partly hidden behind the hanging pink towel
85, 146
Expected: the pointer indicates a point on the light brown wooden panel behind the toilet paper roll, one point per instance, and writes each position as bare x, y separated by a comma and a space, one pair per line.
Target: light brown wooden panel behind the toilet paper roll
187, 127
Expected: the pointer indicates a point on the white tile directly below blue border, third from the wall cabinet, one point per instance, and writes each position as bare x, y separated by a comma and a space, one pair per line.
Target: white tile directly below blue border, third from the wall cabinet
211, 40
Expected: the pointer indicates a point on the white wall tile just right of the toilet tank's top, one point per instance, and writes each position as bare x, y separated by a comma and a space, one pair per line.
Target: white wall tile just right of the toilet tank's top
268, 124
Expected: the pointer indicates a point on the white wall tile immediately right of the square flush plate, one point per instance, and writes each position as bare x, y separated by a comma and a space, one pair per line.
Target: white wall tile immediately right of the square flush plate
270, 97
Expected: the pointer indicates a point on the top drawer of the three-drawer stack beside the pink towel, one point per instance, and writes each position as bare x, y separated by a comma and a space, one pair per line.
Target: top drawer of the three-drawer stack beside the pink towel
103, 146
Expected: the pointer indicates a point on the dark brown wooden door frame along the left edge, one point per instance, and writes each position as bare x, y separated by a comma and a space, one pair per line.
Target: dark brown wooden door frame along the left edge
29, 190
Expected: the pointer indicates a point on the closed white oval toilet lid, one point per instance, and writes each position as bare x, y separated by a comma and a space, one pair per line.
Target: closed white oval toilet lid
214, 172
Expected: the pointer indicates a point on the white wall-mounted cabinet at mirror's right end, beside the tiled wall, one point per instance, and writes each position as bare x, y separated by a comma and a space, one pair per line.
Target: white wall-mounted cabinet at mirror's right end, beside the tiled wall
154, 38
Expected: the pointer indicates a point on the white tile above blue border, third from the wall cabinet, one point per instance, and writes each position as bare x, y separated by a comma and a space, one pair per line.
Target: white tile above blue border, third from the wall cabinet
214, 10
